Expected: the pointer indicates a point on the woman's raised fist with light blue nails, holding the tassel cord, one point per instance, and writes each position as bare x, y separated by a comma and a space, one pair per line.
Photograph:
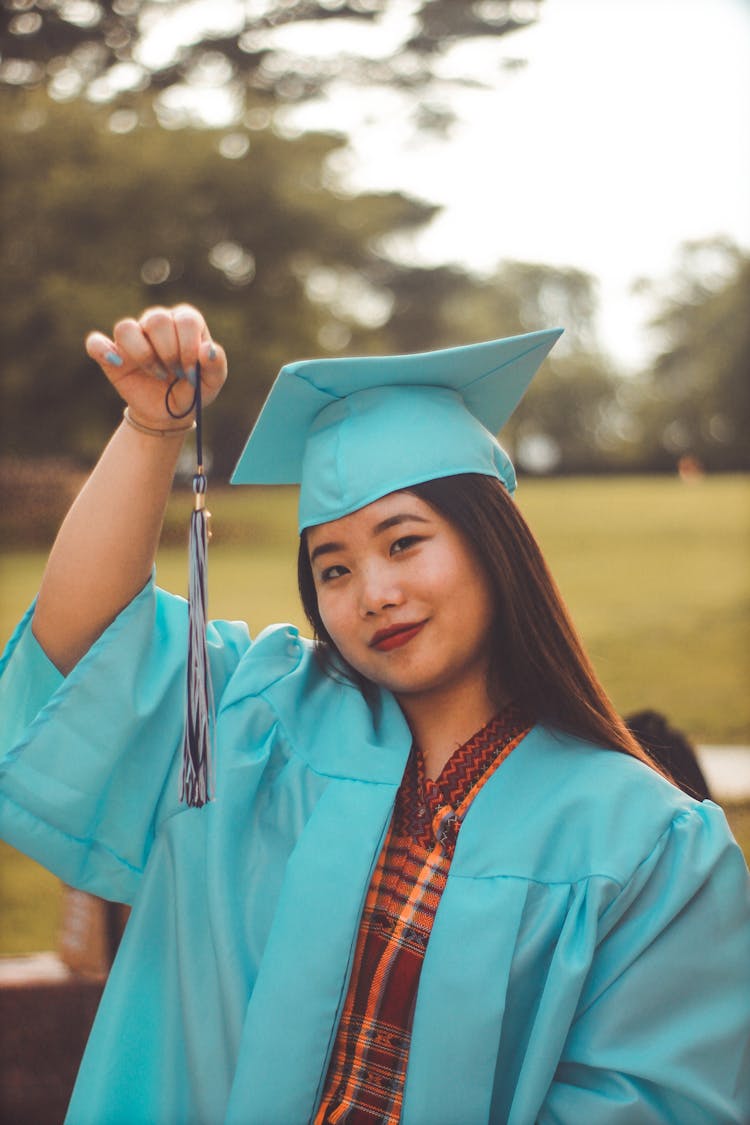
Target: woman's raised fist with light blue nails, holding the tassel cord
148, 355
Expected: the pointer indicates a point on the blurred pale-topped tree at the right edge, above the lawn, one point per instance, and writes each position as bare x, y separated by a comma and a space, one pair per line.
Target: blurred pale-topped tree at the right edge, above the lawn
695, 402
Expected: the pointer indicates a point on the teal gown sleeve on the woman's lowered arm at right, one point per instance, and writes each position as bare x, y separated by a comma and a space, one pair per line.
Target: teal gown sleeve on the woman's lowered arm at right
663, 1032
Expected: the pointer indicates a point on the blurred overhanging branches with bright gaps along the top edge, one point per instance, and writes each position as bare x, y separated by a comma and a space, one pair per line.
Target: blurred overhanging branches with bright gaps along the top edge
105, 49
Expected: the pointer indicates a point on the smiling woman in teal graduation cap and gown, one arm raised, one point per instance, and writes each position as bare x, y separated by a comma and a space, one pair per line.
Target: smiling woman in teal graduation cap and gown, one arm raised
430, 889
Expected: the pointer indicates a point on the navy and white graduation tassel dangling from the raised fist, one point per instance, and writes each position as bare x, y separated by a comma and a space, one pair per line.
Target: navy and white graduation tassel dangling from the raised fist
196, 778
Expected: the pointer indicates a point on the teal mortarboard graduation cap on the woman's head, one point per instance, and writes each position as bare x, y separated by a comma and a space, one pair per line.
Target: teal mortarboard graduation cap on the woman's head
350, 431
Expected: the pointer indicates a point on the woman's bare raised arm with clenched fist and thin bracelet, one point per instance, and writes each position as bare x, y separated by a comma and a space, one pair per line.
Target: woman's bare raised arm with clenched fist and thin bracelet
106, 547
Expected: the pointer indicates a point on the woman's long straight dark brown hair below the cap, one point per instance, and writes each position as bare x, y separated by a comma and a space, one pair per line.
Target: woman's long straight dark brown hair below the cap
538, 656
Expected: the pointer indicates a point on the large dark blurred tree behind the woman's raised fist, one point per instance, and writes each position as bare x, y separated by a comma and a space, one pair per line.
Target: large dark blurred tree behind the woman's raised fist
97, 226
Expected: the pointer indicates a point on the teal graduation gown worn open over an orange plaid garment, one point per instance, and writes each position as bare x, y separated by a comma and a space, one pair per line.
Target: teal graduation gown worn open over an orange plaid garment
591, 956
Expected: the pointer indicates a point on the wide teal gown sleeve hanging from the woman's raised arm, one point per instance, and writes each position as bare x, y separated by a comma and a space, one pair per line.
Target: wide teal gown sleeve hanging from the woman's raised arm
89, 763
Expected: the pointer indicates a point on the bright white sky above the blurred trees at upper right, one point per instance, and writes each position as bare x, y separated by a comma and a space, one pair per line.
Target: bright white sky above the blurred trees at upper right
627, 133
